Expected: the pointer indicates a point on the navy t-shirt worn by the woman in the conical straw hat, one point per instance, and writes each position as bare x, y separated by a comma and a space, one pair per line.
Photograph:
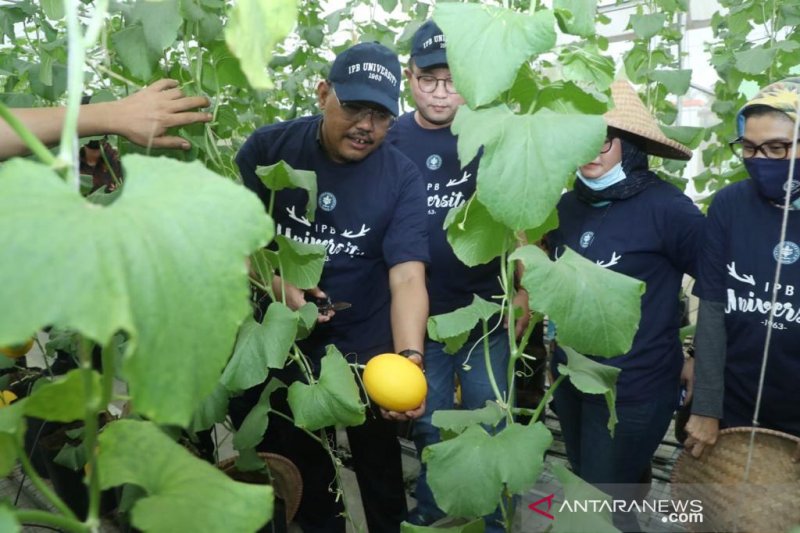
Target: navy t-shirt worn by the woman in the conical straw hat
653, 237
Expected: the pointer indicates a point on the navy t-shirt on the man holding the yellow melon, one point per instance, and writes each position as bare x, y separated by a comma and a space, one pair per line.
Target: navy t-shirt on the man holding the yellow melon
370, 215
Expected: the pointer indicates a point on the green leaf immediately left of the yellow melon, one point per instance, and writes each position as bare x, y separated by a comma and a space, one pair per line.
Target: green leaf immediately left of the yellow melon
333, 400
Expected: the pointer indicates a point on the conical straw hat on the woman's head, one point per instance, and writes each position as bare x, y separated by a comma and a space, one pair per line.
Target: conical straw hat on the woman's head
630, 114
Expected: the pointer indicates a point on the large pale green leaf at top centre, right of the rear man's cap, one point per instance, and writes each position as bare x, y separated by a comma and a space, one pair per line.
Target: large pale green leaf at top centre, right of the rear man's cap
483, 38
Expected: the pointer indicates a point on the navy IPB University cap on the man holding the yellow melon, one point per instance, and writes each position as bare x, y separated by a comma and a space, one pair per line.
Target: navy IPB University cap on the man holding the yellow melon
367, 72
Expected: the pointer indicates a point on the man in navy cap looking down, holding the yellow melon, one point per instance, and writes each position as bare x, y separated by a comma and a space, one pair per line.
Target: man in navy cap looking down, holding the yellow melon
369, 213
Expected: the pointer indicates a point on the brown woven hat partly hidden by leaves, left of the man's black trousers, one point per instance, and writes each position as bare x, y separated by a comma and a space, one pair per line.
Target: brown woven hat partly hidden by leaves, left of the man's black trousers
286, 479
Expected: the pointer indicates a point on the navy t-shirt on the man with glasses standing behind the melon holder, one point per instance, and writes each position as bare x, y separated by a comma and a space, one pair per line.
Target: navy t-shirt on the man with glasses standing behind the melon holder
451, 283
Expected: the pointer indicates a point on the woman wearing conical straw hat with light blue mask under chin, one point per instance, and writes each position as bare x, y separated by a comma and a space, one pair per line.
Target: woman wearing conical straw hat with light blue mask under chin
623, 217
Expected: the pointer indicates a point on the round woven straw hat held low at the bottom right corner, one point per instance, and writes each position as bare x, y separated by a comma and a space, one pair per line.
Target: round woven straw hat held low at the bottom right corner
768, 502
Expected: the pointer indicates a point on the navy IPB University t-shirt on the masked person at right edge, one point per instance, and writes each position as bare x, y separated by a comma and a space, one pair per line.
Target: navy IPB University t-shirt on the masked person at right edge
737, 264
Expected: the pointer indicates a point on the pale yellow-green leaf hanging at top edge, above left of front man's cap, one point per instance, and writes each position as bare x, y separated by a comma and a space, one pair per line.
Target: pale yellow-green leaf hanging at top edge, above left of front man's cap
253, 30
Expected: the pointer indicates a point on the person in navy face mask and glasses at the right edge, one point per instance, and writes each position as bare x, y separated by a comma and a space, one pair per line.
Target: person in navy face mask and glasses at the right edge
742, 249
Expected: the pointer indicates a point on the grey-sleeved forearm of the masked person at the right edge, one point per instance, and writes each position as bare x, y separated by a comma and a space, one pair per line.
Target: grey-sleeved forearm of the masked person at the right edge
710, 350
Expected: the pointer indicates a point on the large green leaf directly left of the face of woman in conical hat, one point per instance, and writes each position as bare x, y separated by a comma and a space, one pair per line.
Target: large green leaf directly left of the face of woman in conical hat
528, 159
